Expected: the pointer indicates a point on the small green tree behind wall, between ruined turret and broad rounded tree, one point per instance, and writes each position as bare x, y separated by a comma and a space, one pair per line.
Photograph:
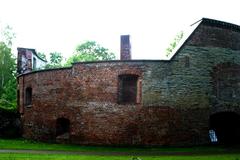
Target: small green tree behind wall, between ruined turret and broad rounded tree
56, 59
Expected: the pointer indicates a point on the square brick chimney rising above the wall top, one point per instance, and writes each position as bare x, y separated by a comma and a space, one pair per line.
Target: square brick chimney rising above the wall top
125, 47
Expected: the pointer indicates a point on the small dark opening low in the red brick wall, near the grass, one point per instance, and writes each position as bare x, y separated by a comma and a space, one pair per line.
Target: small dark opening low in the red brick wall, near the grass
62, 126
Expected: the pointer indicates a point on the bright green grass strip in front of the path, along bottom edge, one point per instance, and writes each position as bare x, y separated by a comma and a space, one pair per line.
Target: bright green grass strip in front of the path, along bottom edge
11, 156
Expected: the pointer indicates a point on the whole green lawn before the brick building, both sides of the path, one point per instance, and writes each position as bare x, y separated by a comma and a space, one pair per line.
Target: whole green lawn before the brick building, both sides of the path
115, 153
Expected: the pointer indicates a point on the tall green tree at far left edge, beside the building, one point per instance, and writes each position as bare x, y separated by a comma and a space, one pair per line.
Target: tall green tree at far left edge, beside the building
7, 70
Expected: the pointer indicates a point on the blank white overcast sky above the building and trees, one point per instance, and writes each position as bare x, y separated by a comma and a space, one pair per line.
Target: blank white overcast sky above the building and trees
59, 25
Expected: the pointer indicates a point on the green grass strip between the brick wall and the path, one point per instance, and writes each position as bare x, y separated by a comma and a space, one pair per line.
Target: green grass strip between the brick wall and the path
32, 145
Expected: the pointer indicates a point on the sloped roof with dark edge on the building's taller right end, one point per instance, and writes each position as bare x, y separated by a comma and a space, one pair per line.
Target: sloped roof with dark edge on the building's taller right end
193, 28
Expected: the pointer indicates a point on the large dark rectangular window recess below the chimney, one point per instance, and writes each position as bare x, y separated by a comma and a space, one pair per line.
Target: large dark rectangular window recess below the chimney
127, 89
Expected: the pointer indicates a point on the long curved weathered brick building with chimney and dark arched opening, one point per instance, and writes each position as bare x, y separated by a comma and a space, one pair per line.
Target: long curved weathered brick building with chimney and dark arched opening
141, 102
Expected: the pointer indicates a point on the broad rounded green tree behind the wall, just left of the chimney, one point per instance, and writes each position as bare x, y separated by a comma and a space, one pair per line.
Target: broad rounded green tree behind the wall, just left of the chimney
90, 51
